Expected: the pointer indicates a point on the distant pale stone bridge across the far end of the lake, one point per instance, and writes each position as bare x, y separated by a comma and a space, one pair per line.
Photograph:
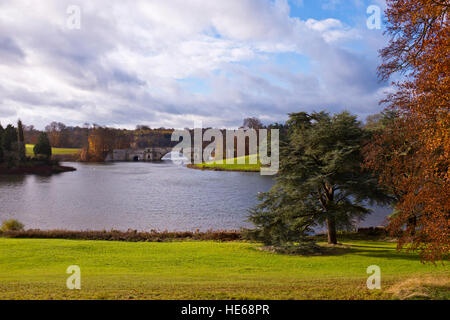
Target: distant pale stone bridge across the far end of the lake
146, 154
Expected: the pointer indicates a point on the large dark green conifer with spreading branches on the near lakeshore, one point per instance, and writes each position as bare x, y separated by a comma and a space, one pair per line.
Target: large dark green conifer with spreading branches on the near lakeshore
321, 181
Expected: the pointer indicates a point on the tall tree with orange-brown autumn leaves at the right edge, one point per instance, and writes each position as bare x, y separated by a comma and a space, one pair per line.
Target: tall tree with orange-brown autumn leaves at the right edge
412, 151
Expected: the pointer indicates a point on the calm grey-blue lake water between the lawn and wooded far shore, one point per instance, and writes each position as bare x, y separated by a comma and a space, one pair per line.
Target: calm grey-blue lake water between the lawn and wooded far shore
140, 196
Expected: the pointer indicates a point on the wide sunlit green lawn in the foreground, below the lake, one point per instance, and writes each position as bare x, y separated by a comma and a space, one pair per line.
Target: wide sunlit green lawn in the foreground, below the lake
35, 268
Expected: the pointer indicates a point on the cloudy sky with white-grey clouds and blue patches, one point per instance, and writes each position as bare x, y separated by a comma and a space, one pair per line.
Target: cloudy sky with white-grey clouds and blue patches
175, 62
